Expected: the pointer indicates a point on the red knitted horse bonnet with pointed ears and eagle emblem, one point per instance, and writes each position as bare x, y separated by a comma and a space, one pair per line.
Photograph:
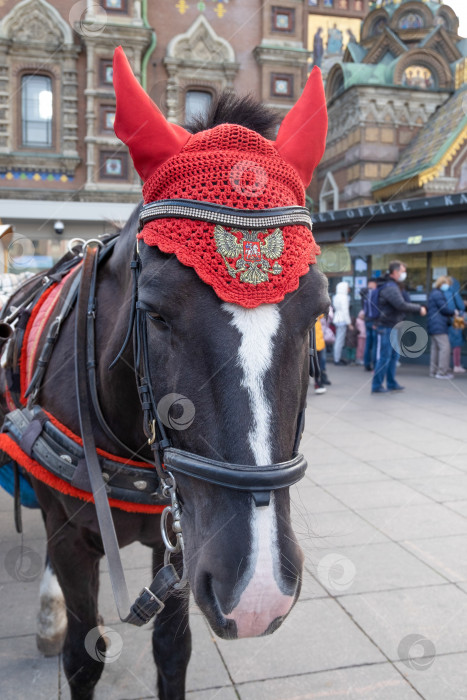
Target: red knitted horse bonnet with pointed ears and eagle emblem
231, 166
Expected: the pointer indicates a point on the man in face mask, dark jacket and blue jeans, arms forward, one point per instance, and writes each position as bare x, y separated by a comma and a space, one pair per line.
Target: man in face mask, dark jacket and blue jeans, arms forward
392, 309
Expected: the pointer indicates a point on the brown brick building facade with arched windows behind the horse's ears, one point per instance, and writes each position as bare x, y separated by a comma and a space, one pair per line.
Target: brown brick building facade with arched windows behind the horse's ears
57, 103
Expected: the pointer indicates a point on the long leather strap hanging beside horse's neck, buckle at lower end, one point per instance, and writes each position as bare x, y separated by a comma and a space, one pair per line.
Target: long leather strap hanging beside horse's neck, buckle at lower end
150, 600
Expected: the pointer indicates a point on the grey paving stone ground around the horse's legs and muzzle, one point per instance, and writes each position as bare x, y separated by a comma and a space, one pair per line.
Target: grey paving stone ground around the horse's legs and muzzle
382, 518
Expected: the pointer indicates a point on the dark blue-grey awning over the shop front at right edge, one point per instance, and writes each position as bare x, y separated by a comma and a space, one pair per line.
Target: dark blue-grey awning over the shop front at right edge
414, 235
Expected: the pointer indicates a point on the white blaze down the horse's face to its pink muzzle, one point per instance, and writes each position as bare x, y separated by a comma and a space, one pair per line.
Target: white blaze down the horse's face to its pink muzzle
261, 600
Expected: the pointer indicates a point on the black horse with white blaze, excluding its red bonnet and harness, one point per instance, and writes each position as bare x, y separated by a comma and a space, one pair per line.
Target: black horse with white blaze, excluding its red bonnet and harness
245, 370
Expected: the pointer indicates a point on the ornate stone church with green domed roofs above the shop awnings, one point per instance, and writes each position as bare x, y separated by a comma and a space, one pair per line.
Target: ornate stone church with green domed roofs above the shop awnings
398, 123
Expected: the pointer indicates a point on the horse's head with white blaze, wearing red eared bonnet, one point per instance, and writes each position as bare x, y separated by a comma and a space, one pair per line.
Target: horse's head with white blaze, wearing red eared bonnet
228, 310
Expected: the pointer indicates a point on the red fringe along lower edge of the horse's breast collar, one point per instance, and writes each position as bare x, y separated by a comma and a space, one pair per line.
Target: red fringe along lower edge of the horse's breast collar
8, 445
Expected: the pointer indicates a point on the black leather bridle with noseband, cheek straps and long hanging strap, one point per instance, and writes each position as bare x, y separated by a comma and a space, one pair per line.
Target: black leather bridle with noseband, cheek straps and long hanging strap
259, 481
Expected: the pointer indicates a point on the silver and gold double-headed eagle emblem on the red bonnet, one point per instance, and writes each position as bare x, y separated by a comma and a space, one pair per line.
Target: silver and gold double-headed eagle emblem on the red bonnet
252, 255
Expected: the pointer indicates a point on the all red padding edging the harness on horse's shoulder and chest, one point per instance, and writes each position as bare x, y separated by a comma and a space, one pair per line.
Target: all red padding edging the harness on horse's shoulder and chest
37, 324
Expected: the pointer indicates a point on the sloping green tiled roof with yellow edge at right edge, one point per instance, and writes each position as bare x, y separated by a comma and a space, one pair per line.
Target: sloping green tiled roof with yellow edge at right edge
433, 141
